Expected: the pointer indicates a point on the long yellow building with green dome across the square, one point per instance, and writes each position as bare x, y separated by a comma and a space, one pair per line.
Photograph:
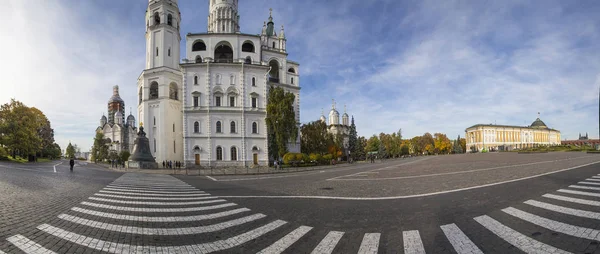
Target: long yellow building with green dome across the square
507, 137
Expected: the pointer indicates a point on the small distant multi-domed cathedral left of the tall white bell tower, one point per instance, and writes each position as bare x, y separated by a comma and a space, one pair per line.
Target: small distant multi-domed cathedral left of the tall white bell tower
119, 133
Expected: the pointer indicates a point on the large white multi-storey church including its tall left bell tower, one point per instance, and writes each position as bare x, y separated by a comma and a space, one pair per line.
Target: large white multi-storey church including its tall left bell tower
209, 110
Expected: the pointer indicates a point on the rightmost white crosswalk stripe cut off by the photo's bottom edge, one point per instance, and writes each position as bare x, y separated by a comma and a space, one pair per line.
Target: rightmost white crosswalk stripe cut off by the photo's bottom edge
515, 238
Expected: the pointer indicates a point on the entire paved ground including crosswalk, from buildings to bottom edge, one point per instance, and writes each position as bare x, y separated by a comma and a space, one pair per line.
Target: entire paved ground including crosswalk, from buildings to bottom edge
474, 203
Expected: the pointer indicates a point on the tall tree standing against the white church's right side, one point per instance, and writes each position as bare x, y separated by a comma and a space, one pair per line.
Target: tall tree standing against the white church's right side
281, 120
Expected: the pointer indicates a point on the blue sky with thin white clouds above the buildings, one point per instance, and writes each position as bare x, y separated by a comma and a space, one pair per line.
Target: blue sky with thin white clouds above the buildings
418, 65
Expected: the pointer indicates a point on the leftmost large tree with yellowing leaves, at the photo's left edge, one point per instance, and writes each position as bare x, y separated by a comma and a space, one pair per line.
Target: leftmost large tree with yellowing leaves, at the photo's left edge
19, 128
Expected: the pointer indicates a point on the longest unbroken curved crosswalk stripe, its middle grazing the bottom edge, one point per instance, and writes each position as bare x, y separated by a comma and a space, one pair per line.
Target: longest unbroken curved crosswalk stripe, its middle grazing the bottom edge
201, 248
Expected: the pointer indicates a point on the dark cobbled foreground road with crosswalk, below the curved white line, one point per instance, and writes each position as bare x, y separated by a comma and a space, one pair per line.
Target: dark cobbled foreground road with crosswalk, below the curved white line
93, 211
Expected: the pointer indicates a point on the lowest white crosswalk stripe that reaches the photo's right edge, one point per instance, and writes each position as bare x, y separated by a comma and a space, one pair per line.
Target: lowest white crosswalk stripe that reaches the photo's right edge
553, 225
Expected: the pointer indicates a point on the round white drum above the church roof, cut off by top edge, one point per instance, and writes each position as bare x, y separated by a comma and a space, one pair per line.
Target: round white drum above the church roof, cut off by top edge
223, 16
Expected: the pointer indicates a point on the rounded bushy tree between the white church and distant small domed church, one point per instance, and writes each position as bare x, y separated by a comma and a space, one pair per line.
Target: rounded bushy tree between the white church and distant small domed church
315, 138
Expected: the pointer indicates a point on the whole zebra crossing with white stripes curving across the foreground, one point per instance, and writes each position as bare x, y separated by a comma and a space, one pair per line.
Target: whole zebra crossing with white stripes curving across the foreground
137, 205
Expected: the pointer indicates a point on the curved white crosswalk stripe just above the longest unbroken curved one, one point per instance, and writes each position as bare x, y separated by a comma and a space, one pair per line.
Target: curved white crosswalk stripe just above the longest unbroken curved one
161, 231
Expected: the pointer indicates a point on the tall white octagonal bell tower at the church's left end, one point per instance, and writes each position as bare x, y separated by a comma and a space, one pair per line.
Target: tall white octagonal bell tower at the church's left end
160, 84
